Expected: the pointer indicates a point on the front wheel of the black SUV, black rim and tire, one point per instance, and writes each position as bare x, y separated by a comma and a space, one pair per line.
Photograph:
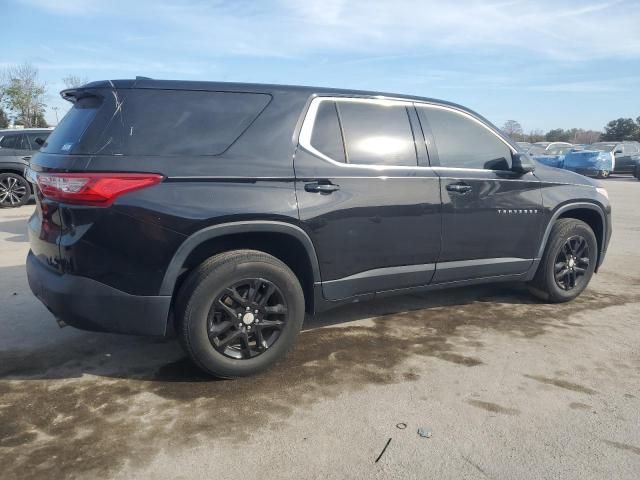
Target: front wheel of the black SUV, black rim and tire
566, 231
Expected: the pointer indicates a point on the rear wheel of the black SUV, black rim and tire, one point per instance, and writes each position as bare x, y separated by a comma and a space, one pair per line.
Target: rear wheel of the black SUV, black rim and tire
218, 292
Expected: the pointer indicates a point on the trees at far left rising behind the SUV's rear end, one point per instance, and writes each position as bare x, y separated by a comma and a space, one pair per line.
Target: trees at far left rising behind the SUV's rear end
23, 94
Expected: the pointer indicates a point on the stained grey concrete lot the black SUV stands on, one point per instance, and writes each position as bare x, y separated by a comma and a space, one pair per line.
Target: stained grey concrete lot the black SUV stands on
510, 388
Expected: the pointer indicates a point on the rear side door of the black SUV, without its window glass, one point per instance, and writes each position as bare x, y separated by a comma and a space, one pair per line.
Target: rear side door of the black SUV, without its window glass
380, 229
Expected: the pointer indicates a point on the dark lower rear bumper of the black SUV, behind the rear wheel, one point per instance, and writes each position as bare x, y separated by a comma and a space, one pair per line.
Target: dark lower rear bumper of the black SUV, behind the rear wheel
90, 305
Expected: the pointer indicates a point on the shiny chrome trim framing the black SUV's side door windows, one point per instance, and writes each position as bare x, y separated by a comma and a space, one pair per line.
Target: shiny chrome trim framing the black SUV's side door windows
306, 131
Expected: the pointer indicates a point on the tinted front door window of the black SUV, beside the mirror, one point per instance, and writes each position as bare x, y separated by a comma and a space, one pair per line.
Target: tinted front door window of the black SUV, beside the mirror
463, 143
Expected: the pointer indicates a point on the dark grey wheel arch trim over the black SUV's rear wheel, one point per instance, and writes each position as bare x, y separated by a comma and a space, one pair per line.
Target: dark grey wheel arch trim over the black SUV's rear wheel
289, 243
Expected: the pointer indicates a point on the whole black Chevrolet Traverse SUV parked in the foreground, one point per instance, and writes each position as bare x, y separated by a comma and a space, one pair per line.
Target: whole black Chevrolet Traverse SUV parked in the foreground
226, 211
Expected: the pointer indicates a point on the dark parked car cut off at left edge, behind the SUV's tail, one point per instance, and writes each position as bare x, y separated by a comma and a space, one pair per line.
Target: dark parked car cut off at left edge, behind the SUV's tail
16, 149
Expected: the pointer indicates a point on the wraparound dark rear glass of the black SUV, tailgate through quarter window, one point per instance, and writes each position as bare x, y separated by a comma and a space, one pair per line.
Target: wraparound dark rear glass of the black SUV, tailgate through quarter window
155, 122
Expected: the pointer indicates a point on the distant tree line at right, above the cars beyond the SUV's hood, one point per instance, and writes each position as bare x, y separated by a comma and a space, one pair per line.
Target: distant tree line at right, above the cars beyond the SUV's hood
615, 130
